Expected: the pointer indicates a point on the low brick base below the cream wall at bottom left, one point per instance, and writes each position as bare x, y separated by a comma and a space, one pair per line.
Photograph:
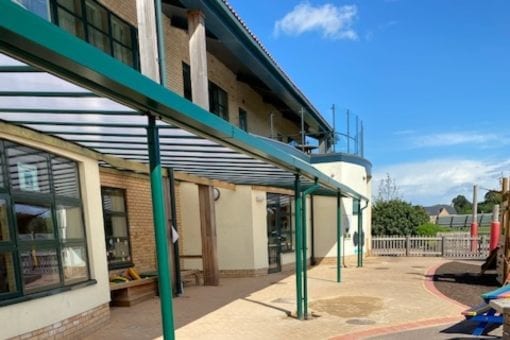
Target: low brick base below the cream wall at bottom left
72, 328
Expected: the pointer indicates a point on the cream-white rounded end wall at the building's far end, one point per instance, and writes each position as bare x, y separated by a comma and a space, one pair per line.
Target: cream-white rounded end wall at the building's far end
356, 177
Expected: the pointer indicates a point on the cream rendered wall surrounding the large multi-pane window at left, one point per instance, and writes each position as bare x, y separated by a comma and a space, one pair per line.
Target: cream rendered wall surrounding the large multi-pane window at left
41, 312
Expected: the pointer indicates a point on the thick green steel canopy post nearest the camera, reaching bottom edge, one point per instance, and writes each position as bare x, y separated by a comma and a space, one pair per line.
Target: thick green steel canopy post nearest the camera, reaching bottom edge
158, 210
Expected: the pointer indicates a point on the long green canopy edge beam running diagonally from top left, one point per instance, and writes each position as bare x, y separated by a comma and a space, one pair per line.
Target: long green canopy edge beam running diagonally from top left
33, 40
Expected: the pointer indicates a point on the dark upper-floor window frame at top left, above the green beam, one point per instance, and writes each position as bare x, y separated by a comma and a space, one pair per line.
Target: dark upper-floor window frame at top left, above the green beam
86, 25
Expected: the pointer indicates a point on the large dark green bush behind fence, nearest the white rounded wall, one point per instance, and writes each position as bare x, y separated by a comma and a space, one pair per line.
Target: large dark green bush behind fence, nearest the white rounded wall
396, 217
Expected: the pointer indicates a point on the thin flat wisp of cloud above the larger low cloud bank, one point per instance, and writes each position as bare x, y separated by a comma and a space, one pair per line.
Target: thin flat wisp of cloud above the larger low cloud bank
456, 138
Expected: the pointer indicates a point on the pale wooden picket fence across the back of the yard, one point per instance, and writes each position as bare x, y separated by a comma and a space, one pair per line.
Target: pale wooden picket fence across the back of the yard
446, 246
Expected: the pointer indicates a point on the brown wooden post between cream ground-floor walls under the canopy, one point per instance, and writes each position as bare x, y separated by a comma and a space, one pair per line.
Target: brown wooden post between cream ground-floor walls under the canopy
208, 228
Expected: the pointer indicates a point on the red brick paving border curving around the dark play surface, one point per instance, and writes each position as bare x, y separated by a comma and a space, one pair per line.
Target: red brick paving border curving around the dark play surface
428, 284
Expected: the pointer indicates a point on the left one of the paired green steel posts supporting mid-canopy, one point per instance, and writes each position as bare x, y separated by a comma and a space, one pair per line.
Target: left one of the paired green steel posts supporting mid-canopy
299, 243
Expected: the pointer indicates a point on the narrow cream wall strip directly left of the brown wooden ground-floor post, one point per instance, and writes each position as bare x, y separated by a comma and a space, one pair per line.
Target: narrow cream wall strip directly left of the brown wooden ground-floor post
191, 241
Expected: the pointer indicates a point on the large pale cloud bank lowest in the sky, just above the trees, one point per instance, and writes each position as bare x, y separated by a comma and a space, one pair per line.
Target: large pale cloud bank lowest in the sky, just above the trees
440, 180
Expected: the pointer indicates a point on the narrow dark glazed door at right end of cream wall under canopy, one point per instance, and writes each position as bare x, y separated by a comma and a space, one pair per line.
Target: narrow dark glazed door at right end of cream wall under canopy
273, 233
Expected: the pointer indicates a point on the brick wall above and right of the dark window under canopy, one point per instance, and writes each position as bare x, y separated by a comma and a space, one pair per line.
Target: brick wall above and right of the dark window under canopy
139, 208
